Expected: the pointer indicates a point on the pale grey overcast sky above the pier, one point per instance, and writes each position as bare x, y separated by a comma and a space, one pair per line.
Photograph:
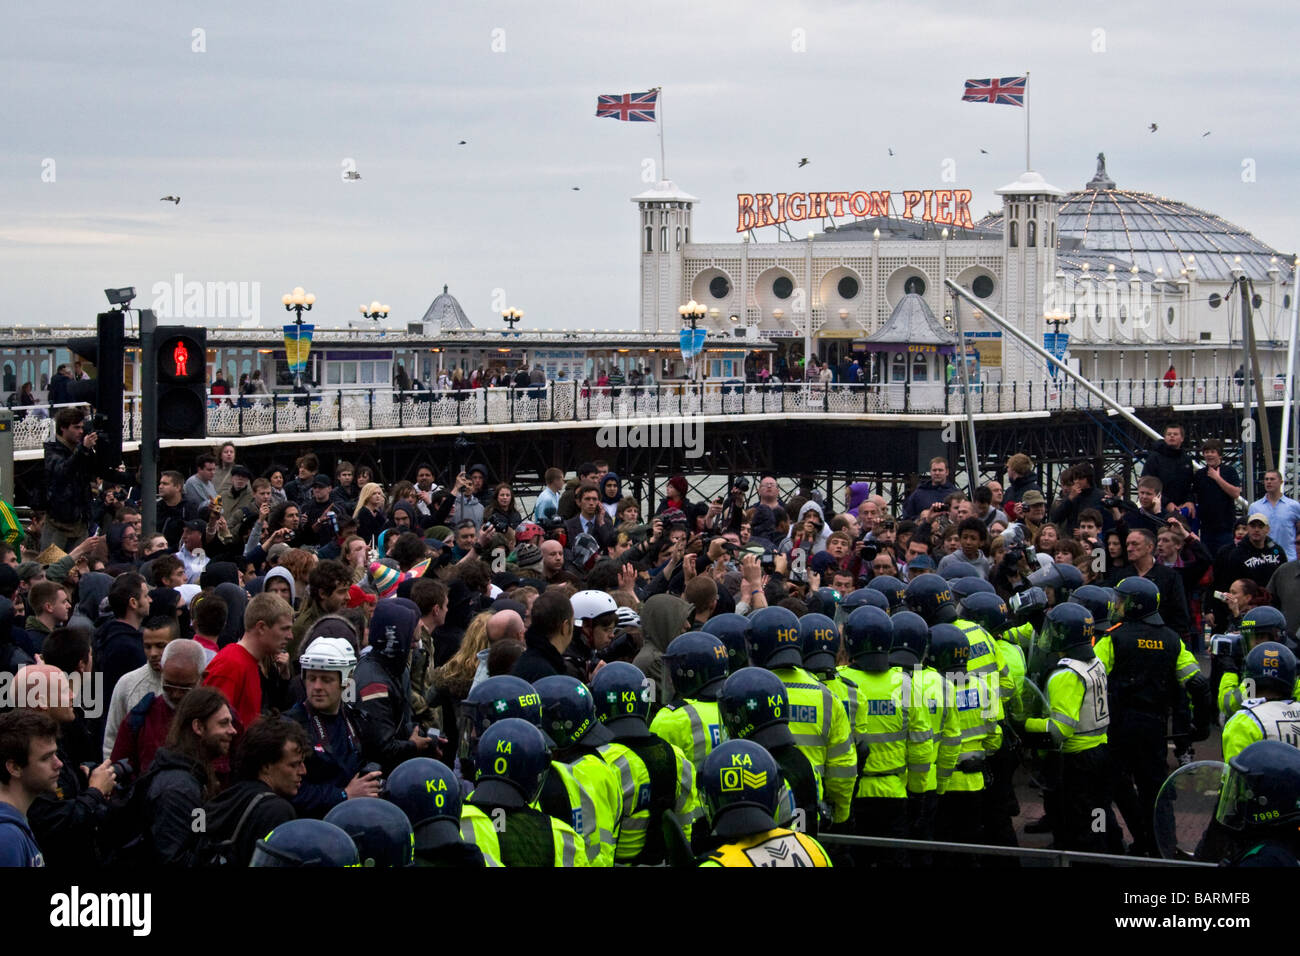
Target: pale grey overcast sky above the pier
253, 135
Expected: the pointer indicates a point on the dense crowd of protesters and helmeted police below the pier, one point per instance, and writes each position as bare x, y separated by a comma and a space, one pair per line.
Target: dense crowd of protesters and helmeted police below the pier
314, 650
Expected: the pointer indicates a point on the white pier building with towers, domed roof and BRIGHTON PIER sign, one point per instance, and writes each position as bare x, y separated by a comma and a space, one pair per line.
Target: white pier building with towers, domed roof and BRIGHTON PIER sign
1138, 283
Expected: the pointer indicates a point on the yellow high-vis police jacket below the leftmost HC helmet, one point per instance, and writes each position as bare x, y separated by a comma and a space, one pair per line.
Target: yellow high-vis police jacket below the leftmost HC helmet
821, 728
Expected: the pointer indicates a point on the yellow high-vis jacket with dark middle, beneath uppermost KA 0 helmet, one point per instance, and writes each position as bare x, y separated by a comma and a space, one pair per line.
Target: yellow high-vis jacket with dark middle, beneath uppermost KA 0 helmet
639, 798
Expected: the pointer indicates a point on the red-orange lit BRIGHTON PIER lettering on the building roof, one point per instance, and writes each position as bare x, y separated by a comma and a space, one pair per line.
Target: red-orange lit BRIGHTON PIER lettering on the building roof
943, 206
